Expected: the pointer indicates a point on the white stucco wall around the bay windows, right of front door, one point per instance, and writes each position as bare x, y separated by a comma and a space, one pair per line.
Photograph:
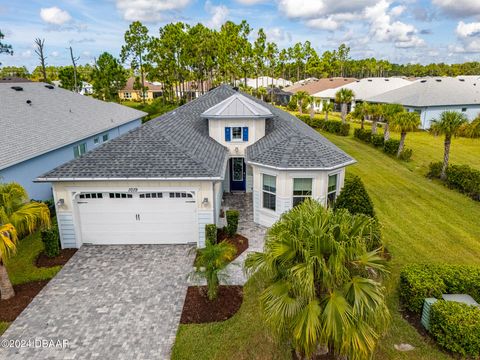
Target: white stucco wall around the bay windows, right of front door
284, 190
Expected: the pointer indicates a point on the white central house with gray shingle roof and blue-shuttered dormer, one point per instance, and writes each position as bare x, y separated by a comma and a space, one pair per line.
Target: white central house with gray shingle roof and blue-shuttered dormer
163, 182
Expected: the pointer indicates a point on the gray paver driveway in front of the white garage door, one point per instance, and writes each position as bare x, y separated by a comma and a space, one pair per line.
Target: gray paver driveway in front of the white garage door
108, 302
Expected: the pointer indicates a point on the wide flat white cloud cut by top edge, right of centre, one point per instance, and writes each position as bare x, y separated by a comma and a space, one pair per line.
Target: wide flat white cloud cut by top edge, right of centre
311, 9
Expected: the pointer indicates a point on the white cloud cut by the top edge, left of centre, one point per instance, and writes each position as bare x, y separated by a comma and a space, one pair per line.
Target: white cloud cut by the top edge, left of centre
149, 10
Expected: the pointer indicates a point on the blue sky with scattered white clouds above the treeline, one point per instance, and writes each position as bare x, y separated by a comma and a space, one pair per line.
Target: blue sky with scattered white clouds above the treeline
401, 31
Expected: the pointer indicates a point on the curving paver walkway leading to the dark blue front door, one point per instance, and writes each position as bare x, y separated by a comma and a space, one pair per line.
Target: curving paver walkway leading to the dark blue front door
243, 202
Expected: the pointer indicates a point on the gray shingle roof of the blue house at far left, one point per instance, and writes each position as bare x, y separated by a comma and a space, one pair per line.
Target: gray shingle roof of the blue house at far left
54, 118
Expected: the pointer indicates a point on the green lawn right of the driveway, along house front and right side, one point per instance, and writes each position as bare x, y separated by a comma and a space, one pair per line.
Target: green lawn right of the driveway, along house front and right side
423, 221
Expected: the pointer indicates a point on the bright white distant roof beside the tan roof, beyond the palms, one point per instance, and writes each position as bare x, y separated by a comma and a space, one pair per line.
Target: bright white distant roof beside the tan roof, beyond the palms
366, 88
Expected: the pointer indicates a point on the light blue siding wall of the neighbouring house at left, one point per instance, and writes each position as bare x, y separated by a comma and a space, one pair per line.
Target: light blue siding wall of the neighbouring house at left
25, 172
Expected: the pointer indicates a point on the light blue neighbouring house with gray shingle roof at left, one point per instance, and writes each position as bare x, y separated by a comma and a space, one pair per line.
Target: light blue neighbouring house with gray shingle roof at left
44, 126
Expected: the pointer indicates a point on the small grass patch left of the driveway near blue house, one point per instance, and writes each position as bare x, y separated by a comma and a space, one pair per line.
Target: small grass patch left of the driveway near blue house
21, 267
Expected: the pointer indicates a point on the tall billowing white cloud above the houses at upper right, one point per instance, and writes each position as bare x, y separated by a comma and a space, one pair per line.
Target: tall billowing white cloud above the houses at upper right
384, 28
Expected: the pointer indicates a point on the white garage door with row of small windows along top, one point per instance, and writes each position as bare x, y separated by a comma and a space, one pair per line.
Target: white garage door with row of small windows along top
140, 218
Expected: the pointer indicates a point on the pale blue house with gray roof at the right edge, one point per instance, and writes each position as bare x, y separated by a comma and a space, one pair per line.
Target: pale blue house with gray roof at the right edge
429, 97
